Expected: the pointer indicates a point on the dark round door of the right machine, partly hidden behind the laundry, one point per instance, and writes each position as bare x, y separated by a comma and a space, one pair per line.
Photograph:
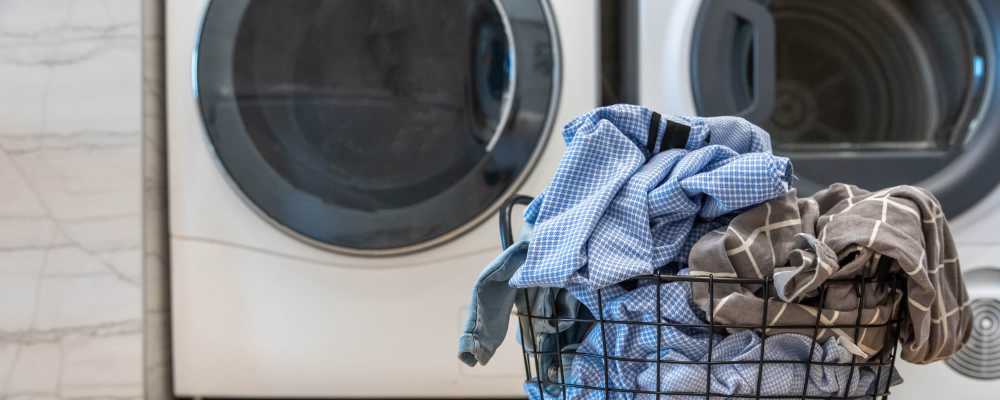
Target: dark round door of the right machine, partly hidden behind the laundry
877, 93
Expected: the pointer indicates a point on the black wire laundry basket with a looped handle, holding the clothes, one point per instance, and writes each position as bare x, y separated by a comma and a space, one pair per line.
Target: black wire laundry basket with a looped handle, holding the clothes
550, 378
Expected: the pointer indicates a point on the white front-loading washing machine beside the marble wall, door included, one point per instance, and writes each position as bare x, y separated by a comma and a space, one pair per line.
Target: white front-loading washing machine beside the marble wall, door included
335, 167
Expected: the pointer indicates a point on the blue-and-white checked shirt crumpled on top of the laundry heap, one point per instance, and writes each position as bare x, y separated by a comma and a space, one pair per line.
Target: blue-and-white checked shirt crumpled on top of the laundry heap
615, 209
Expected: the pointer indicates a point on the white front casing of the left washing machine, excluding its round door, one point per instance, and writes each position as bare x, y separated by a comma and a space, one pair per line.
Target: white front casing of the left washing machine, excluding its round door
258, 313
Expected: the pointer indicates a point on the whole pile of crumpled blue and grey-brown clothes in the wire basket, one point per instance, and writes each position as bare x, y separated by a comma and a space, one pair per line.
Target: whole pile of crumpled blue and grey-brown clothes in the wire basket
637, 193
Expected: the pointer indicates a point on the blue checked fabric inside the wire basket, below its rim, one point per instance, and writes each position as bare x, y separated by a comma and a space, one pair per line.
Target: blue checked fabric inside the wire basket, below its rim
691, 344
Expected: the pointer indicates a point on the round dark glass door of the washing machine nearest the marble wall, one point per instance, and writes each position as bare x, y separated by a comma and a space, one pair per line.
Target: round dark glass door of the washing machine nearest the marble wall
376, 126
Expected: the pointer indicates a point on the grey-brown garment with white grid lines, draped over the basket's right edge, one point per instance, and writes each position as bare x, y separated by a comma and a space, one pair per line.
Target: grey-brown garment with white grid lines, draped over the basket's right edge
842, 232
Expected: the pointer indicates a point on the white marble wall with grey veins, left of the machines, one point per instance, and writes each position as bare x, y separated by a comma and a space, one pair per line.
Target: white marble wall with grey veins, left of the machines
70, 197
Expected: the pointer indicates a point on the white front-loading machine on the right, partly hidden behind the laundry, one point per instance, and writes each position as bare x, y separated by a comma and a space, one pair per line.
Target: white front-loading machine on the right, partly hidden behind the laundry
878, 93
